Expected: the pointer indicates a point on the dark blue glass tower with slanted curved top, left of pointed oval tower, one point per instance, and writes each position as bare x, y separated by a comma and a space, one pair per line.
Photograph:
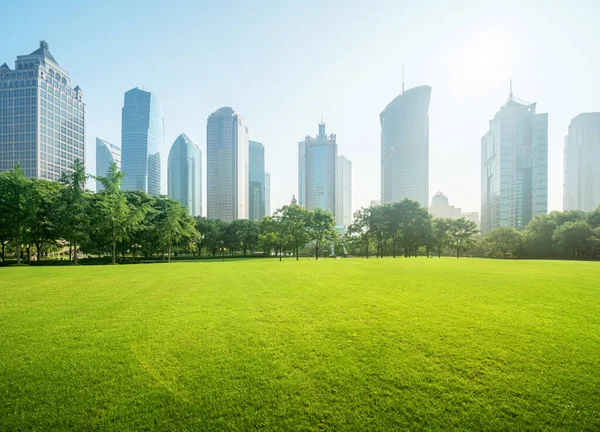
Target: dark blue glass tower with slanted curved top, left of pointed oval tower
142, 142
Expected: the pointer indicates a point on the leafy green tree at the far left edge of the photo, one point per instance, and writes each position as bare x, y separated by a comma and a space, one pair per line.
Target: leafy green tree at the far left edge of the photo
17, 205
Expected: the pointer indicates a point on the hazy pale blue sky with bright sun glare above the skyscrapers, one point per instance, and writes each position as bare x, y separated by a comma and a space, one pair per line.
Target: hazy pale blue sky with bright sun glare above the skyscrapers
283, 64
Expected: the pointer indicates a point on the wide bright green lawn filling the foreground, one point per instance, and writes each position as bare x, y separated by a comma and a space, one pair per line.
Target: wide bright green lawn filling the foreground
335, 344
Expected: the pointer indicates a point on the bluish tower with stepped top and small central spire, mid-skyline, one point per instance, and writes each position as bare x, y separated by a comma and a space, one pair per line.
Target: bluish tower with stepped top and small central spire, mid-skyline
320, 156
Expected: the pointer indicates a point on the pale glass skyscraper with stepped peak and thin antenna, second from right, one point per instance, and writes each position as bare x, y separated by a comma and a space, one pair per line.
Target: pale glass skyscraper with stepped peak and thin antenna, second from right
514, 166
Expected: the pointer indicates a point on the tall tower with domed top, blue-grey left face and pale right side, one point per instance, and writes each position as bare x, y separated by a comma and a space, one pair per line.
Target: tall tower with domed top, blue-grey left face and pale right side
227, 165
